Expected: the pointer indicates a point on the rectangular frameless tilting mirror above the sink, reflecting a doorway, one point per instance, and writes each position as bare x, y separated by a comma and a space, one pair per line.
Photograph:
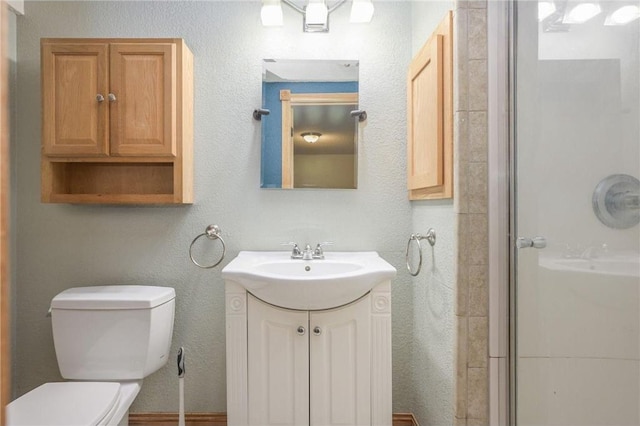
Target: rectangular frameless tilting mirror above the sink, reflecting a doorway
309, 138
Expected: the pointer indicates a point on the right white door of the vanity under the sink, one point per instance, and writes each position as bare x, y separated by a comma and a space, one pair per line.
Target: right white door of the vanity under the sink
340, 372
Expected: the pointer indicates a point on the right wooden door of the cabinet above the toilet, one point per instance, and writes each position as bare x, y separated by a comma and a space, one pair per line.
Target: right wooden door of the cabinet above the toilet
143, 106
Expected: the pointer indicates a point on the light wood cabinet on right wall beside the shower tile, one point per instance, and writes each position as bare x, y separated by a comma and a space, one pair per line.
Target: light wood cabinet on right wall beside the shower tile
430, 117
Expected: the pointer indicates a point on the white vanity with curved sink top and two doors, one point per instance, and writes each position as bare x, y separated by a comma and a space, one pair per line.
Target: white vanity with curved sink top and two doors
308, 341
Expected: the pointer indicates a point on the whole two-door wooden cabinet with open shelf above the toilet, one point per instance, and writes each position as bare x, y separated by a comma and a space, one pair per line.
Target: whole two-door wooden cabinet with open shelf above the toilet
117, 121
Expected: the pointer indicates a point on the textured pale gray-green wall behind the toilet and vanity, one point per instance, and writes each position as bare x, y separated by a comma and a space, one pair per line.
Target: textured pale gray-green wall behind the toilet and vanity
61, 246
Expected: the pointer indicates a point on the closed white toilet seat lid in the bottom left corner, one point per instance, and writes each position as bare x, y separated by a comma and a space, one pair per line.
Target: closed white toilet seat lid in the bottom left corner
66, 404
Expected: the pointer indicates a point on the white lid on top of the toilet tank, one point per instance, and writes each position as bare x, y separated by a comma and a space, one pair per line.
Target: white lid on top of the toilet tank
113, 297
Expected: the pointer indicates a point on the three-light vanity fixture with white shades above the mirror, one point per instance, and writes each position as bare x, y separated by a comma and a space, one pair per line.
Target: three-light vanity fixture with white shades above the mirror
315, 13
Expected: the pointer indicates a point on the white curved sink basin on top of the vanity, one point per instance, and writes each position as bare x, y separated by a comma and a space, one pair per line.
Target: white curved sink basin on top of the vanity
308, 284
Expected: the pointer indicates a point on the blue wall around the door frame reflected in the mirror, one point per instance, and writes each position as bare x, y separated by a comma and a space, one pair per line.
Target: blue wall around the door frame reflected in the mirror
271, 165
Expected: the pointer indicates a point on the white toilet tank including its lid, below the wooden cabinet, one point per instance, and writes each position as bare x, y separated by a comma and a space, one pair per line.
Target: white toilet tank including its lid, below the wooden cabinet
112, 332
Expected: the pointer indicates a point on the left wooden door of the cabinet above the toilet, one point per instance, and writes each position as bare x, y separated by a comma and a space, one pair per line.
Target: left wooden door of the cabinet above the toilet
74, 120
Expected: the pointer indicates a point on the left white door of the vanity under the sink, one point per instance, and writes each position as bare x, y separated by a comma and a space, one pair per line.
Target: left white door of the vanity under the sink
278, 365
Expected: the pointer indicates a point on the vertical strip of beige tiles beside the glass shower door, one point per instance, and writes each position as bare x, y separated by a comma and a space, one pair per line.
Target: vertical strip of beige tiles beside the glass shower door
470, 206
